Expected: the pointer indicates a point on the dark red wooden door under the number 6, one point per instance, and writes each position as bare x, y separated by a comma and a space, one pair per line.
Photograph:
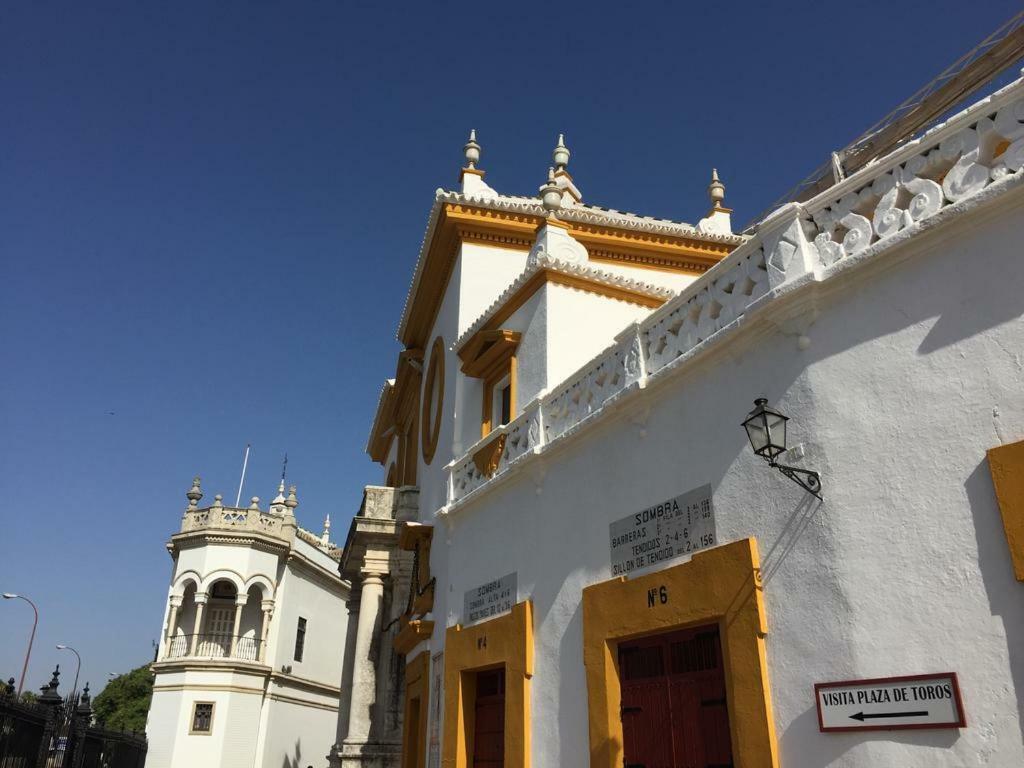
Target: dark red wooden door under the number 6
673, 702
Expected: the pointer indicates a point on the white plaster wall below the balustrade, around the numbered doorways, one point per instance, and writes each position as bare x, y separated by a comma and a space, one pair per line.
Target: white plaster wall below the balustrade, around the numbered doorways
915, 369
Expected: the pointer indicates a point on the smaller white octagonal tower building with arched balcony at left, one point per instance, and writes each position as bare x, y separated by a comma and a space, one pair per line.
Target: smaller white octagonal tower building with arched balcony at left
250, 666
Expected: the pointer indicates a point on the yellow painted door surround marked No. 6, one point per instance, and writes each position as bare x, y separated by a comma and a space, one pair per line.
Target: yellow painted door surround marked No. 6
721, 585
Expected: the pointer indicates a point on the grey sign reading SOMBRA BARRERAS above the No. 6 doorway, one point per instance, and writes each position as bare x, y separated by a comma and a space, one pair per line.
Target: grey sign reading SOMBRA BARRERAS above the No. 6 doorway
673, 529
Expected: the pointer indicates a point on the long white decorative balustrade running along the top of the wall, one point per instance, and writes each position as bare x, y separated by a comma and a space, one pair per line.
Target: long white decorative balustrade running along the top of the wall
953, 163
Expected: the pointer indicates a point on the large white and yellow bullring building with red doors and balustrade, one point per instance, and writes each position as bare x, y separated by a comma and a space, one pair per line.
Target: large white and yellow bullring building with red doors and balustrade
572, 387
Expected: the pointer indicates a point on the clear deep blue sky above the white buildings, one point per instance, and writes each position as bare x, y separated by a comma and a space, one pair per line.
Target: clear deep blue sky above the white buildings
210, 212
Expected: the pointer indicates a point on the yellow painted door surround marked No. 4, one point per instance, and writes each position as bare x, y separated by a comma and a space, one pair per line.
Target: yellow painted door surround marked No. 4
506, 642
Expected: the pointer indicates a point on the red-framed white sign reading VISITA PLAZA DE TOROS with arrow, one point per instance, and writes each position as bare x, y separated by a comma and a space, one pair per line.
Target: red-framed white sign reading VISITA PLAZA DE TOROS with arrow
892, 703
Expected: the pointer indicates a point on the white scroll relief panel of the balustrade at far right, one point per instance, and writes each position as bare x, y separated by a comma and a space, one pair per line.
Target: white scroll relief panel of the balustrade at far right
960, 166
